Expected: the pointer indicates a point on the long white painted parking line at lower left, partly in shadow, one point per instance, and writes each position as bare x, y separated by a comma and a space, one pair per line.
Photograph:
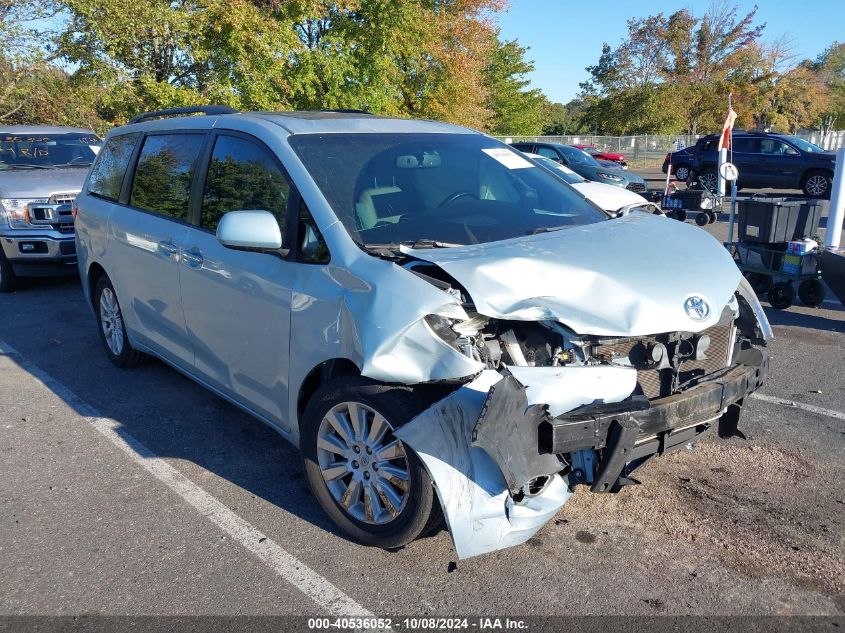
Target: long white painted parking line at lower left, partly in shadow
291, 569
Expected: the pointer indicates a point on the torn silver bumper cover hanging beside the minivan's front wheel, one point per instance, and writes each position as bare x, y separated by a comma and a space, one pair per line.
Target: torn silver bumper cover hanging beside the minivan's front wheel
481, 514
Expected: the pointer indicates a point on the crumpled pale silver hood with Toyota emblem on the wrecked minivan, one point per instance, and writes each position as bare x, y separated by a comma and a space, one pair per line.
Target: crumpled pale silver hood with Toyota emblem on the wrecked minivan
625, 277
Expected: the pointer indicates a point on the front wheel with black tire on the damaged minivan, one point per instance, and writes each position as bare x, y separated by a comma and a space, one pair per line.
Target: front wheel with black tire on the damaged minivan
372, 516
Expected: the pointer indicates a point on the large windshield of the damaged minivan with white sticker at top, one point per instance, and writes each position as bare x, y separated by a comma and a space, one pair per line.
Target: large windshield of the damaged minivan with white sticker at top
391, 189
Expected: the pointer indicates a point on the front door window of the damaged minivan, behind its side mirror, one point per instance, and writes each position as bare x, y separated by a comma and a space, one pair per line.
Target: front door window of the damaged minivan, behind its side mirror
243, 176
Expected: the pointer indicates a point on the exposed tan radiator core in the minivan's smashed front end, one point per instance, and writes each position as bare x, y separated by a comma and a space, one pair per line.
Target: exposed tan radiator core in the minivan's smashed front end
657, 383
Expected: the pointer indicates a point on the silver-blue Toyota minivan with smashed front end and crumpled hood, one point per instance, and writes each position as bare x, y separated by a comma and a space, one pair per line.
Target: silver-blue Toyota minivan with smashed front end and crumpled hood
442, 326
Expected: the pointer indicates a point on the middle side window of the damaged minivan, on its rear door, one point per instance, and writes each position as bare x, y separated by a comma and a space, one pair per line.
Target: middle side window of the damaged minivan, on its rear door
162, 181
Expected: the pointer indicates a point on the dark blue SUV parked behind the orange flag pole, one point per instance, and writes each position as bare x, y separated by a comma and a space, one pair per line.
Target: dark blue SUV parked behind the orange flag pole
767, 161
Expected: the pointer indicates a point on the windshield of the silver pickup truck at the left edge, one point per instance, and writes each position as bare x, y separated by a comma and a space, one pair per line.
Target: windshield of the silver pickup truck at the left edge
47, 151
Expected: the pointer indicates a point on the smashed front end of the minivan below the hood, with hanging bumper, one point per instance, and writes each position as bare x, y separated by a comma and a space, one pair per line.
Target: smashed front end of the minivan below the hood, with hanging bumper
554, 409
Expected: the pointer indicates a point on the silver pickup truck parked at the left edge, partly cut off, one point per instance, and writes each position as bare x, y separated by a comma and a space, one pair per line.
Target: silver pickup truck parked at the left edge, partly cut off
42, 168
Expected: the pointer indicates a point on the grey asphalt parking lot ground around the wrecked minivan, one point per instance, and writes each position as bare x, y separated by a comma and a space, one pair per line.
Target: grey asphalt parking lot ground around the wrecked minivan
138, 492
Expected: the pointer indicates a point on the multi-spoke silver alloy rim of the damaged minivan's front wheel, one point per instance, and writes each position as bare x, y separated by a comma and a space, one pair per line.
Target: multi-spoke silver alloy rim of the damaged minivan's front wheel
363, 465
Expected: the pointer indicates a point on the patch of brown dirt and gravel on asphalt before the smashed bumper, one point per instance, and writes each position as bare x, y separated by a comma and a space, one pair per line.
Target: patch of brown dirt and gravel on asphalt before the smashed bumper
764, 511
